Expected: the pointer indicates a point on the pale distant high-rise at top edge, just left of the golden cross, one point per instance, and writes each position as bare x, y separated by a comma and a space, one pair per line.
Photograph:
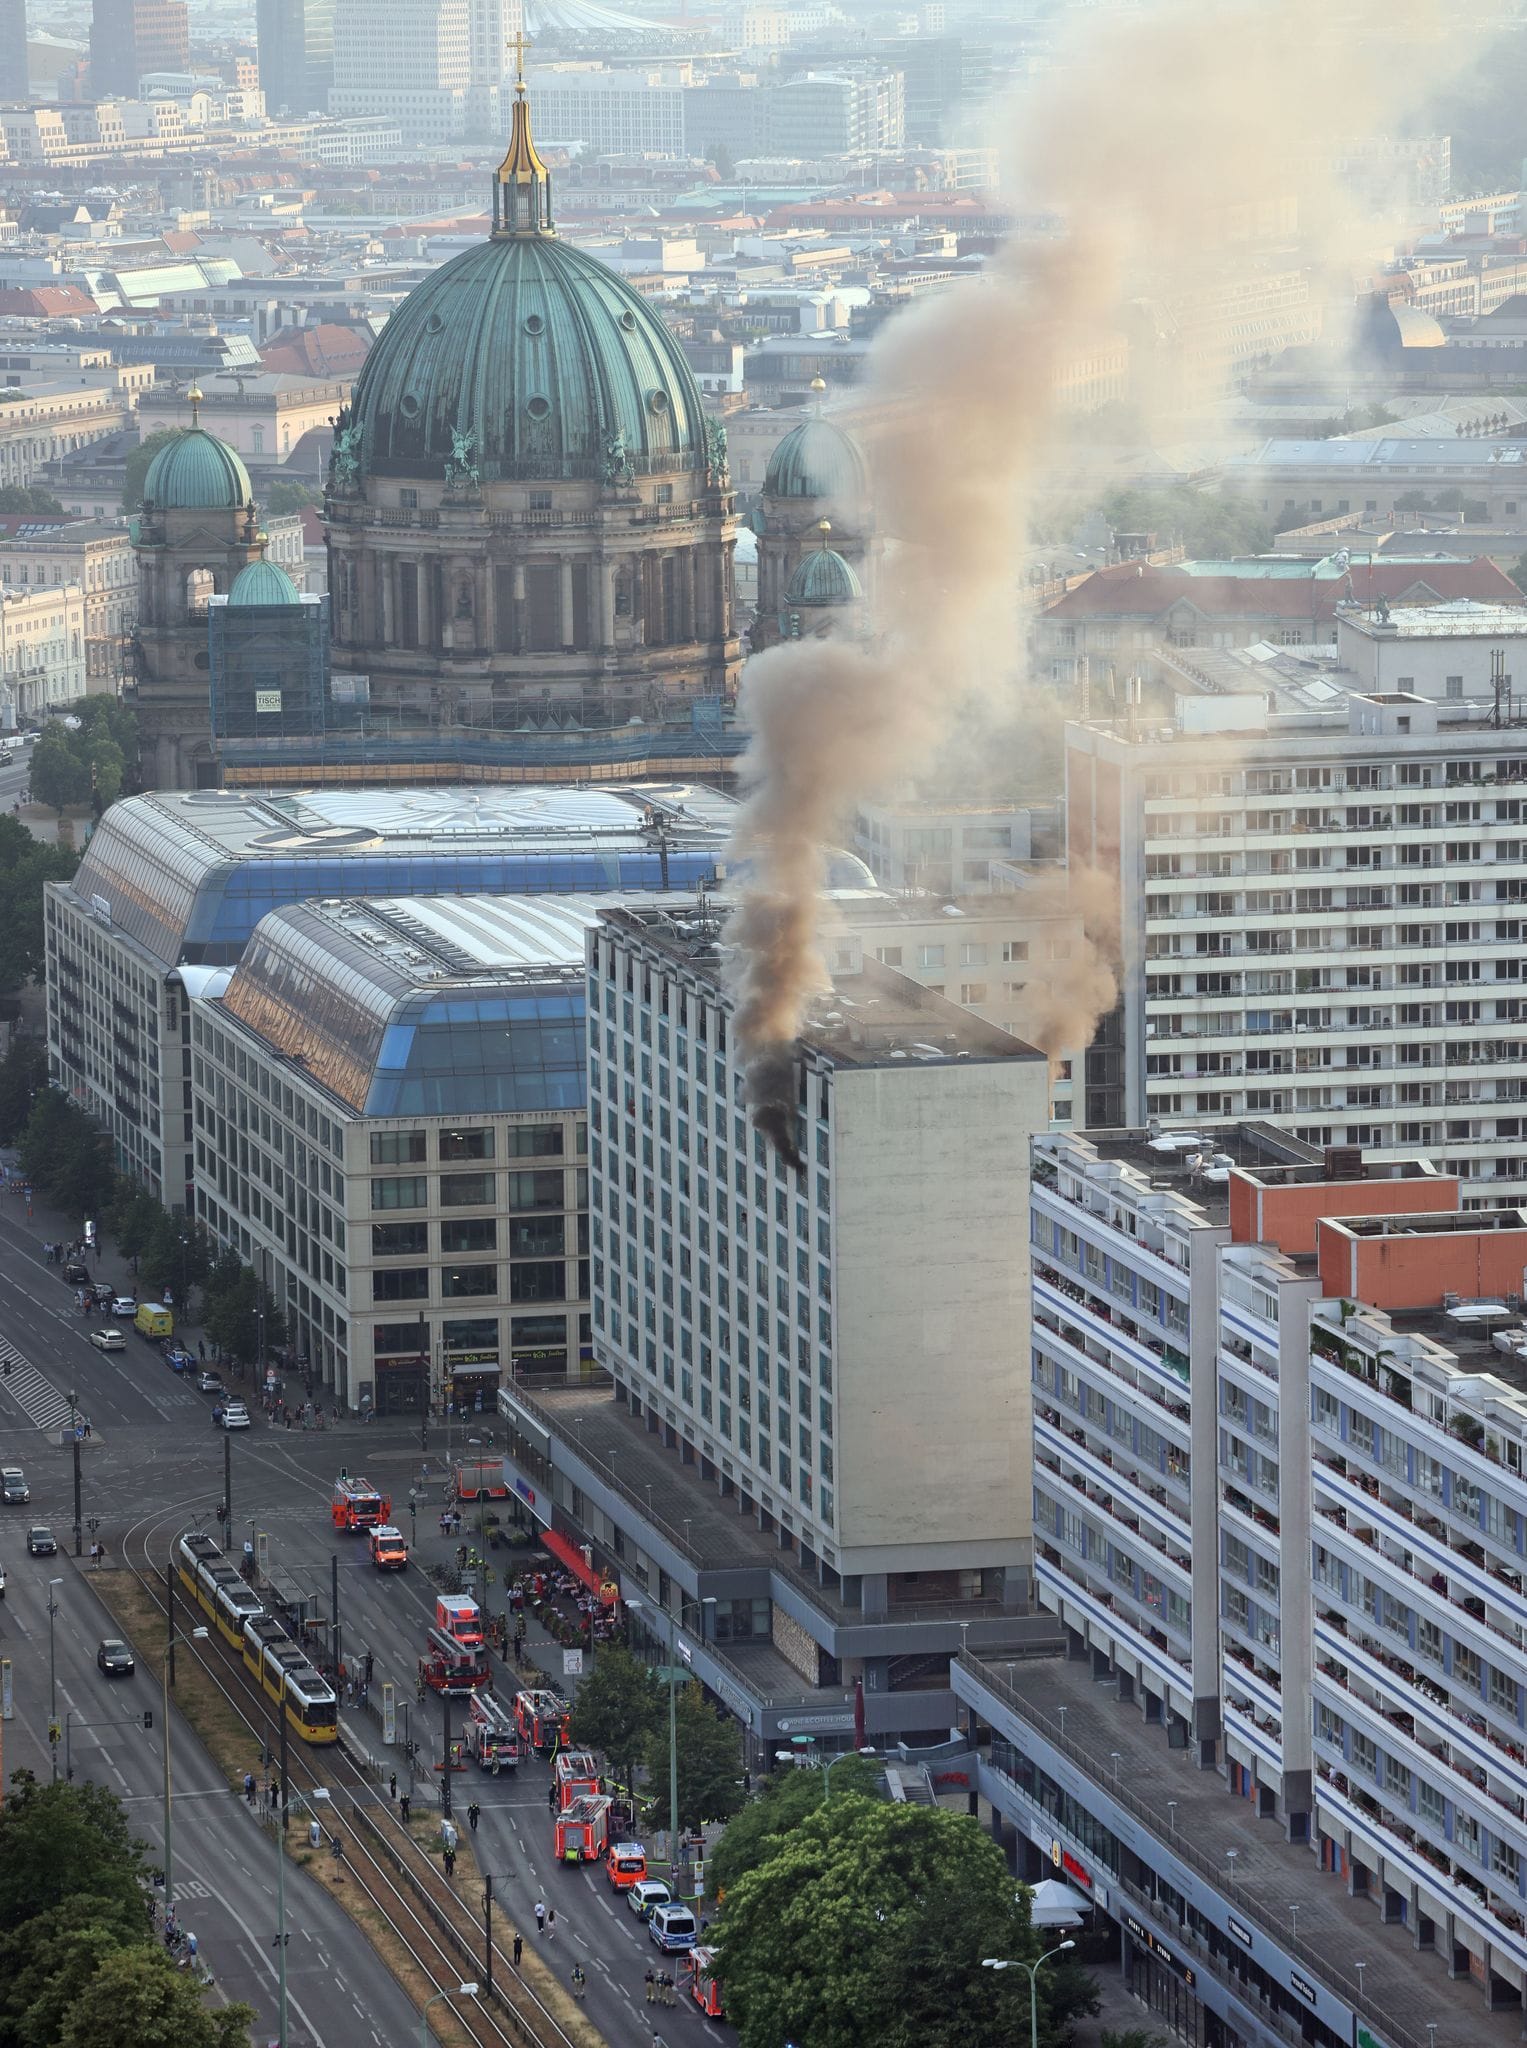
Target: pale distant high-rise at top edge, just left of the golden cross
408, 60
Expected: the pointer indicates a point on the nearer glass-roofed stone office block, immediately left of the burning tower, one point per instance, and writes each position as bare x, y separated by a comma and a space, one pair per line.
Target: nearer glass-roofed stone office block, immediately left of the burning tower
388, 1101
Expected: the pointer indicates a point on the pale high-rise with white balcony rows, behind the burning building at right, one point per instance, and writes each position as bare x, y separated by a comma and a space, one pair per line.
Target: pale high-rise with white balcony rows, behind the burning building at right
1319, 923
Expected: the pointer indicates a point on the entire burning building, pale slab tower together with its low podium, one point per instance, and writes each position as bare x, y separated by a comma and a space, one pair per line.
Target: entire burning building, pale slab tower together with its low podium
810, 1447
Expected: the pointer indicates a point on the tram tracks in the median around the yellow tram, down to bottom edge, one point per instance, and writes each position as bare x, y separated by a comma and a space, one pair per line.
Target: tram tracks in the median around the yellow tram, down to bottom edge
425, 1916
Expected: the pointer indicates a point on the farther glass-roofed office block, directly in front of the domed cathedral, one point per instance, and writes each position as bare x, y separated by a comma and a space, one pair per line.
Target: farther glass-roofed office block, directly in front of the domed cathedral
183, 880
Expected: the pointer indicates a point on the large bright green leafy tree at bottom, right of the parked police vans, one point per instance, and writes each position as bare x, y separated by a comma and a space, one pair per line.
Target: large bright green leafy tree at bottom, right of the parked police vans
871, 1924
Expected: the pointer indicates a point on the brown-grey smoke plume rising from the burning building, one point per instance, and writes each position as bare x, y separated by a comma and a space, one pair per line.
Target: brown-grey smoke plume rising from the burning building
1147, 142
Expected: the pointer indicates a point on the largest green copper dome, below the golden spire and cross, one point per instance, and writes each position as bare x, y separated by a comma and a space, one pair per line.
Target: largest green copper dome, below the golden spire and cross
527, 359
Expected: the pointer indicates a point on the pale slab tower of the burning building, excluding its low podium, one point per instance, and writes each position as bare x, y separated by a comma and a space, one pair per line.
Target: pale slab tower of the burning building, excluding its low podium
840, 1347
